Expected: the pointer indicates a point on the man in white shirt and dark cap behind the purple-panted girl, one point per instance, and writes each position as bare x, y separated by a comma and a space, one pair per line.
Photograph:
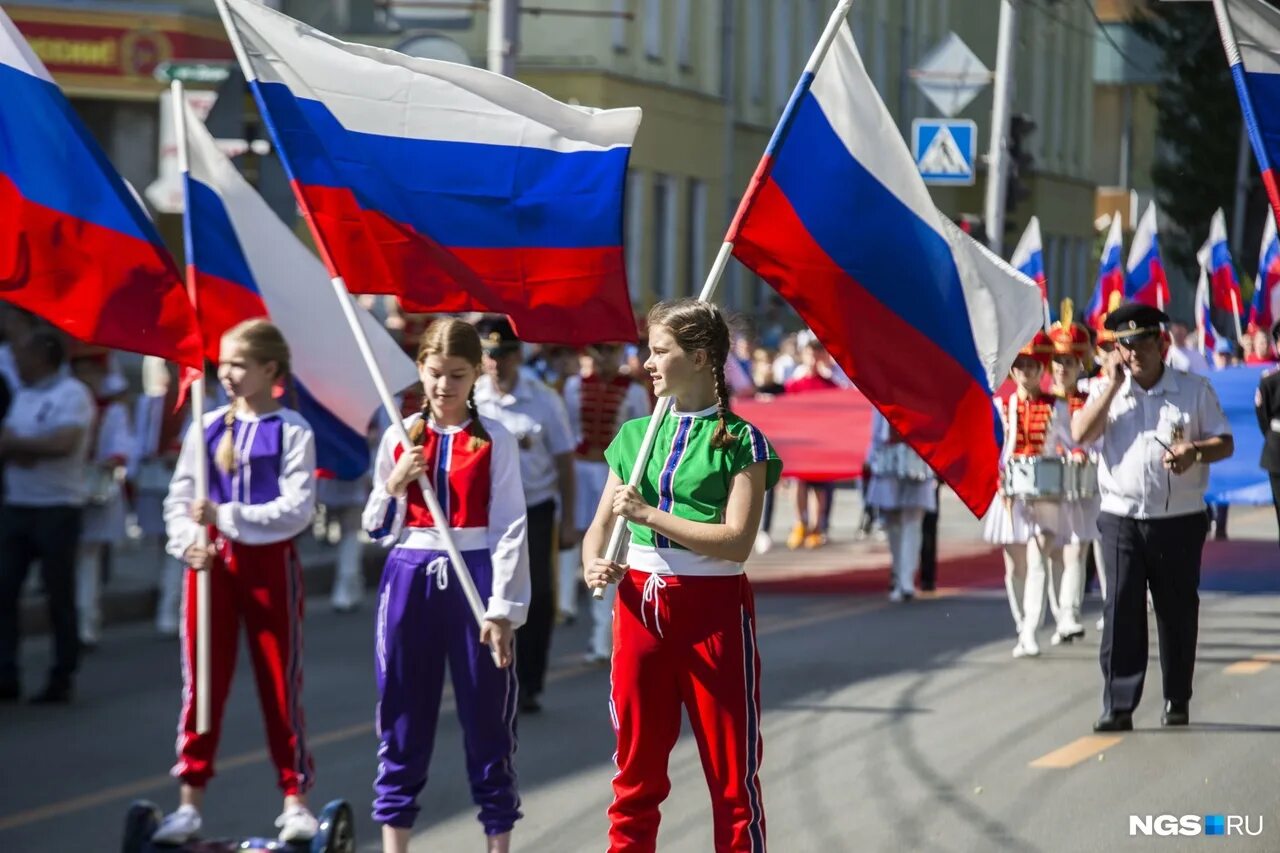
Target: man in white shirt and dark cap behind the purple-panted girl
536, 416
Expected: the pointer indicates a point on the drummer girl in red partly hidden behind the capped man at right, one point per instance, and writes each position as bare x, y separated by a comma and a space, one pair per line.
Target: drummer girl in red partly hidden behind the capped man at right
1072, 352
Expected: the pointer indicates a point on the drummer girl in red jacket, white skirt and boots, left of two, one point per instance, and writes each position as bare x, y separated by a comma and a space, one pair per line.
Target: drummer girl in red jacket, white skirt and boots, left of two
1028, 530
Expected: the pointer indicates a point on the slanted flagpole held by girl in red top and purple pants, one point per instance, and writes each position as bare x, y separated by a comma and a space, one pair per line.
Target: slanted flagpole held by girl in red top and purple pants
367, 352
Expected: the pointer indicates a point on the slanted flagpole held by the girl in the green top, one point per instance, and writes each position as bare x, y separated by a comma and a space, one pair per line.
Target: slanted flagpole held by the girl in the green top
618, 539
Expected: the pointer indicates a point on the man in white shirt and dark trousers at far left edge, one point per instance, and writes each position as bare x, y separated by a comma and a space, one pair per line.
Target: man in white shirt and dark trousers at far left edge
44, 444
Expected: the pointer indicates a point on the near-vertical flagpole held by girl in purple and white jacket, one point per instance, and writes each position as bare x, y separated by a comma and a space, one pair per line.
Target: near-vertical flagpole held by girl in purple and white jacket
198, 418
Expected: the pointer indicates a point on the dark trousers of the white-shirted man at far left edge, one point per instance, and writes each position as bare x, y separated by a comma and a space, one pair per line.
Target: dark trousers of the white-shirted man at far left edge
52, 536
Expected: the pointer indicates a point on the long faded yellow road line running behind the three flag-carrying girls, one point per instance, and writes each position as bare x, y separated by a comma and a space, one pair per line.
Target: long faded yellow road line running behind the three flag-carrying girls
159, 782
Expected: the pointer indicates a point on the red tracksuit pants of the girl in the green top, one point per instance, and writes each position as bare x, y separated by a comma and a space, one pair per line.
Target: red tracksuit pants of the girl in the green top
687, 642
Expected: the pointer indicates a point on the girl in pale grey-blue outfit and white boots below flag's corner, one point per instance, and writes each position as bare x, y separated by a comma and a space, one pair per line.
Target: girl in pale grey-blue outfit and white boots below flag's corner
902, 490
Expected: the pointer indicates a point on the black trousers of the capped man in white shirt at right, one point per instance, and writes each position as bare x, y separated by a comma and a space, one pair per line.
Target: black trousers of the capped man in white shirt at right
1164, 555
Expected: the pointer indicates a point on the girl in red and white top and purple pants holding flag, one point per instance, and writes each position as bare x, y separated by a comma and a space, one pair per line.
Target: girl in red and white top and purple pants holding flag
424, 621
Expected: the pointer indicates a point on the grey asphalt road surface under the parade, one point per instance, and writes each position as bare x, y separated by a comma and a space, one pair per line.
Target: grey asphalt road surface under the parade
888, 728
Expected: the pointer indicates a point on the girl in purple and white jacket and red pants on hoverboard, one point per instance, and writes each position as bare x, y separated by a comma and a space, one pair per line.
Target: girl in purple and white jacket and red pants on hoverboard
260, 458
